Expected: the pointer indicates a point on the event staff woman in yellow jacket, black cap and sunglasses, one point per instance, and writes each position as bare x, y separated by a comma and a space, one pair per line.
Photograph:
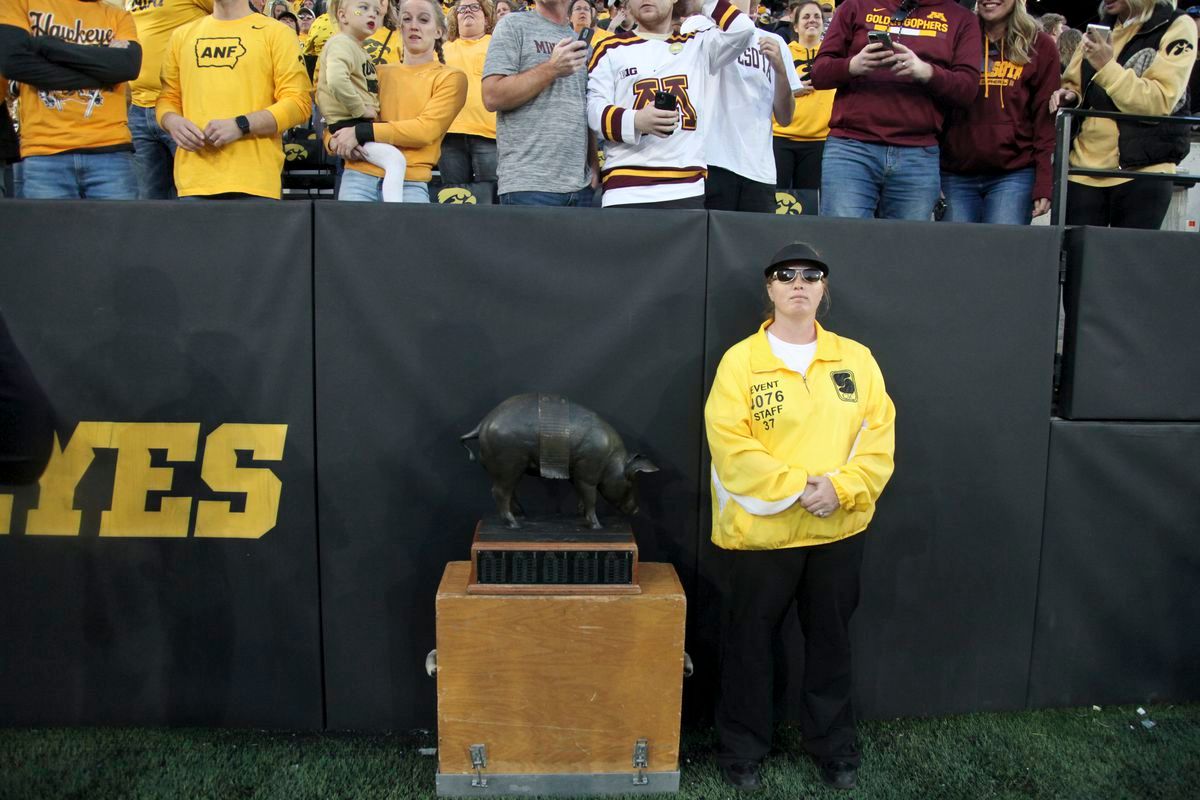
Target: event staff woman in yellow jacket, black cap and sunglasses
802, 437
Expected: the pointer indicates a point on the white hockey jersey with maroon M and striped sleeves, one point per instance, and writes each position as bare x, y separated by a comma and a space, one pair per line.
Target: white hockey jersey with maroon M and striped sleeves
626, 71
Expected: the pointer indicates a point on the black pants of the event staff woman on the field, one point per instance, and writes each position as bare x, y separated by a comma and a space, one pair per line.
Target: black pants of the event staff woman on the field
760, 587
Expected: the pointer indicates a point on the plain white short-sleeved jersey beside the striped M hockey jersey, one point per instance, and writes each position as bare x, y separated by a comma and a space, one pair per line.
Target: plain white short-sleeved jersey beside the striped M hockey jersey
739, 139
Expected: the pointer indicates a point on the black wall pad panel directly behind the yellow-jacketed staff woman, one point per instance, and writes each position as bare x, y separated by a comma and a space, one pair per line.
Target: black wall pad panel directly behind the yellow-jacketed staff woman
962, 321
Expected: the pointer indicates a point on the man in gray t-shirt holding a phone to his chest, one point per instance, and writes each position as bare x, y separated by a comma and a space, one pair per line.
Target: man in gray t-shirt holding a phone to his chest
536, 81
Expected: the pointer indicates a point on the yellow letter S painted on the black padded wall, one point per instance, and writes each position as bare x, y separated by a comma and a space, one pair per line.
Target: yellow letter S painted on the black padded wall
262, 488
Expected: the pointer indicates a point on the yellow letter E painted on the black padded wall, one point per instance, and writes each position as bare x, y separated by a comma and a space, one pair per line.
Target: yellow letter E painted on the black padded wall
136, 478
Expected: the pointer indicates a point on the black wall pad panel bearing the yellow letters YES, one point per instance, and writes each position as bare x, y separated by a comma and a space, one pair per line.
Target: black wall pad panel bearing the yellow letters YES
165, 572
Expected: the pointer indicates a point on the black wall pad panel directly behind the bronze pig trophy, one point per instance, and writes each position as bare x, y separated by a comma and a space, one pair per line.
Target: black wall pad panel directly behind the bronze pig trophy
413, 350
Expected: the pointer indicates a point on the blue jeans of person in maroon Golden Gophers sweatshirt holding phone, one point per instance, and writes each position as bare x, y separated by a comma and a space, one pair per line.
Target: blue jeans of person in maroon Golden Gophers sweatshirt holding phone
867, 181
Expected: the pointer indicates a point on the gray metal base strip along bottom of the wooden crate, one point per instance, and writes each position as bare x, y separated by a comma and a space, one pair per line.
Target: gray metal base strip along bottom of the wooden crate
557, 785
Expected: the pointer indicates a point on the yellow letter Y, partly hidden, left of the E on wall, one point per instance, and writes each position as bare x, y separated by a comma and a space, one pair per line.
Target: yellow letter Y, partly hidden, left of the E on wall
56, 514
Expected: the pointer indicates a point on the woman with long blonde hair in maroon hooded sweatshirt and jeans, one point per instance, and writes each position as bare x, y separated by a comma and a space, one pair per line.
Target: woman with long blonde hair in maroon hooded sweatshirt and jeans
997, 154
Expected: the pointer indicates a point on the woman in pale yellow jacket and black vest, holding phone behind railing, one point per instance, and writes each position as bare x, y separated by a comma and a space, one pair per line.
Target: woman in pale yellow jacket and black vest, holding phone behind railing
1142, 68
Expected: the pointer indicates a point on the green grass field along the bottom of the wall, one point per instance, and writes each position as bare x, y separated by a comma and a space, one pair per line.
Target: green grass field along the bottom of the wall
1061, 754
